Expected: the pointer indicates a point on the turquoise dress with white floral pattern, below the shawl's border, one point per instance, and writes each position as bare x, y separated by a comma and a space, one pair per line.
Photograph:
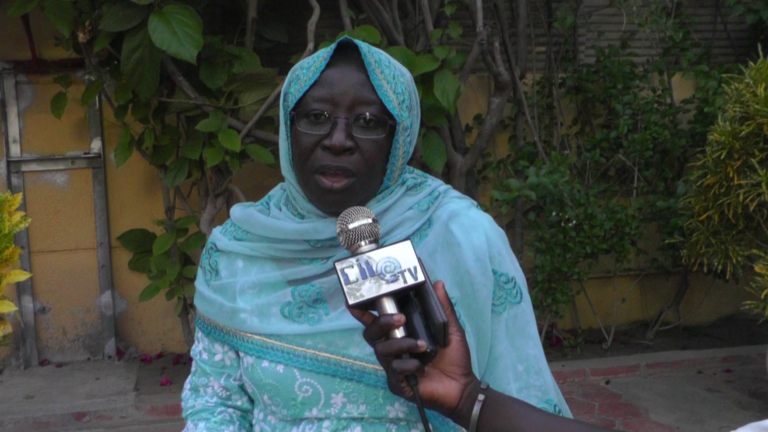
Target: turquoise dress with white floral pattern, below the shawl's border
231, 391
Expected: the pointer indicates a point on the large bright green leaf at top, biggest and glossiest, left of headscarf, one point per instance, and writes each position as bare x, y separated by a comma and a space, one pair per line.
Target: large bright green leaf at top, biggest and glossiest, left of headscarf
178, 30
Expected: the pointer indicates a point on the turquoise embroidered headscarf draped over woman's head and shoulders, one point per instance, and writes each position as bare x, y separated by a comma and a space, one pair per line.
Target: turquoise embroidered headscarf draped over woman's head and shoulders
269, 269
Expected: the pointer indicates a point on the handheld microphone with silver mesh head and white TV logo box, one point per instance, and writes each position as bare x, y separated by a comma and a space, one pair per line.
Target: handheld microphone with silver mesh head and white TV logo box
389, 279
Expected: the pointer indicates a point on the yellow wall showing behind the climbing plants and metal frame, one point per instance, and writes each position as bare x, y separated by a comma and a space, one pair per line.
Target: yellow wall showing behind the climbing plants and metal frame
62, 234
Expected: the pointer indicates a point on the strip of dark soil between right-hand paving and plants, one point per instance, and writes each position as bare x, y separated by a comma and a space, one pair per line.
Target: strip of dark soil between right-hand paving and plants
740, 330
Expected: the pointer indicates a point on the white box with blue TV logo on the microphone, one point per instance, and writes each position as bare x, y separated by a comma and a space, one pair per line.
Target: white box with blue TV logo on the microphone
380, 272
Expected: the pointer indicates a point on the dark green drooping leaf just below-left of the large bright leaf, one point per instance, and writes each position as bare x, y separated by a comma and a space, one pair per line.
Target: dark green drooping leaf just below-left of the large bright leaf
140, 62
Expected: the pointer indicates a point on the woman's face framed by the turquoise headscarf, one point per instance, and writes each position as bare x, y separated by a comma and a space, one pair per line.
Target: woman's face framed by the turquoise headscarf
338, 170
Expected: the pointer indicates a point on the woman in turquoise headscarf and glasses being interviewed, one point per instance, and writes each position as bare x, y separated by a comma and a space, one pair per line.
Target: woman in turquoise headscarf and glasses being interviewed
275, 348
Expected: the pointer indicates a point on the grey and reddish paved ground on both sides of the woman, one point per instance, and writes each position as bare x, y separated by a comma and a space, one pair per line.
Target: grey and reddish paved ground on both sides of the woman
690, 391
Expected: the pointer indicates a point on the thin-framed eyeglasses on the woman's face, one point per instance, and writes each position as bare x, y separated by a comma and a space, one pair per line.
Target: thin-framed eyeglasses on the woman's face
319, 122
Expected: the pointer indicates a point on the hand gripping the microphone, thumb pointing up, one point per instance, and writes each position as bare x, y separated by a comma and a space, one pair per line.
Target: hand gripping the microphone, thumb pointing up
447, 384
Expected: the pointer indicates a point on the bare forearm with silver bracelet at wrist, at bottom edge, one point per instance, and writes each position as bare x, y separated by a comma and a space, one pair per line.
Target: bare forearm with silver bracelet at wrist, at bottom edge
503, 413
